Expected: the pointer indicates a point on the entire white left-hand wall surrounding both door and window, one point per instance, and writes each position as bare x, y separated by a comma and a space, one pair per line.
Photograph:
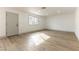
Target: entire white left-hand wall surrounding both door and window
23, 21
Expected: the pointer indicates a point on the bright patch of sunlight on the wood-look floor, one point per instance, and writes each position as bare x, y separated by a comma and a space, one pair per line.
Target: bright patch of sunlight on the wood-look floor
39, 38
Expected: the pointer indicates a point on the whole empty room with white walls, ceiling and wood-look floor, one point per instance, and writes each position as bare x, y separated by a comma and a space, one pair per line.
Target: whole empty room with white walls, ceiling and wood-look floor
39, 29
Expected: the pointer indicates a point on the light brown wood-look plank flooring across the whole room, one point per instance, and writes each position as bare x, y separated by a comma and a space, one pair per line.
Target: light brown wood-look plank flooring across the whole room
45, 40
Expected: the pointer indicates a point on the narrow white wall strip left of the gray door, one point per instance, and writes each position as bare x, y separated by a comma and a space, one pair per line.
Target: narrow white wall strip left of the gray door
2, 22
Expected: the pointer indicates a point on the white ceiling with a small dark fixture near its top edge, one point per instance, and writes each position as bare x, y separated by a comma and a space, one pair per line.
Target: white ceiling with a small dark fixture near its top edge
48, 11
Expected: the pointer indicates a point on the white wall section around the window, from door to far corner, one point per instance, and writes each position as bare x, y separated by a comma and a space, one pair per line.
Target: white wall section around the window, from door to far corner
24, 25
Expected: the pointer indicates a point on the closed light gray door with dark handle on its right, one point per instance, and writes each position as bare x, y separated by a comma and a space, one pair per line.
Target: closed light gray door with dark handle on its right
11, 24
